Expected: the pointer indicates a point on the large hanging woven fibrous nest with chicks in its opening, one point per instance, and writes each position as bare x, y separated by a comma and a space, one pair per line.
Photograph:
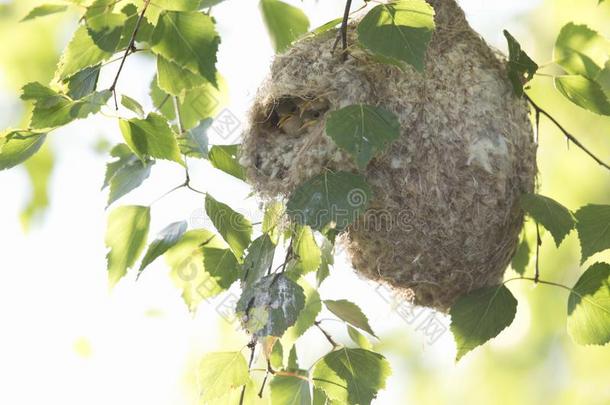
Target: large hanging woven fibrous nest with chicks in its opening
445, 218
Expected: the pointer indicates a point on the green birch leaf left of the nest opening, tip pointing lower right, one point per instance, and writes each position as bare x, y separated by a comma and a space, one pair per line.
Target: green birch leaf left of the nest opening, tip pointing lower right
151, 137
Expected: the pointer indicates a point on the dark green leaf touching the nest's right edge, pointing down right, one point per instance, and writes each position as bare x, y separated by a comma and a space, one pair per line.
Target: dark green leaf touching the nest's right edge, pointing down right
556, 218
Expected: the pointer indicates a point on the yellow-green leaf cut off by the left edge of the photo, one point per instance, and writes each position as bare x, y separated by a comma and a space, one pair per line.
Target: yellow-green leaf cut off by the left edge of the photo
18, 146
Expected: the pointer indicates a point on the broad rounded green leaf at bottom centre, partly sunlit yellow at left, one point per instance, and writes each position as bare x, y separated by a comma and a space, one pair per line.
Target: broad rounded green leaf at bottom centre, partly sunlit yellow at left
351, 376
